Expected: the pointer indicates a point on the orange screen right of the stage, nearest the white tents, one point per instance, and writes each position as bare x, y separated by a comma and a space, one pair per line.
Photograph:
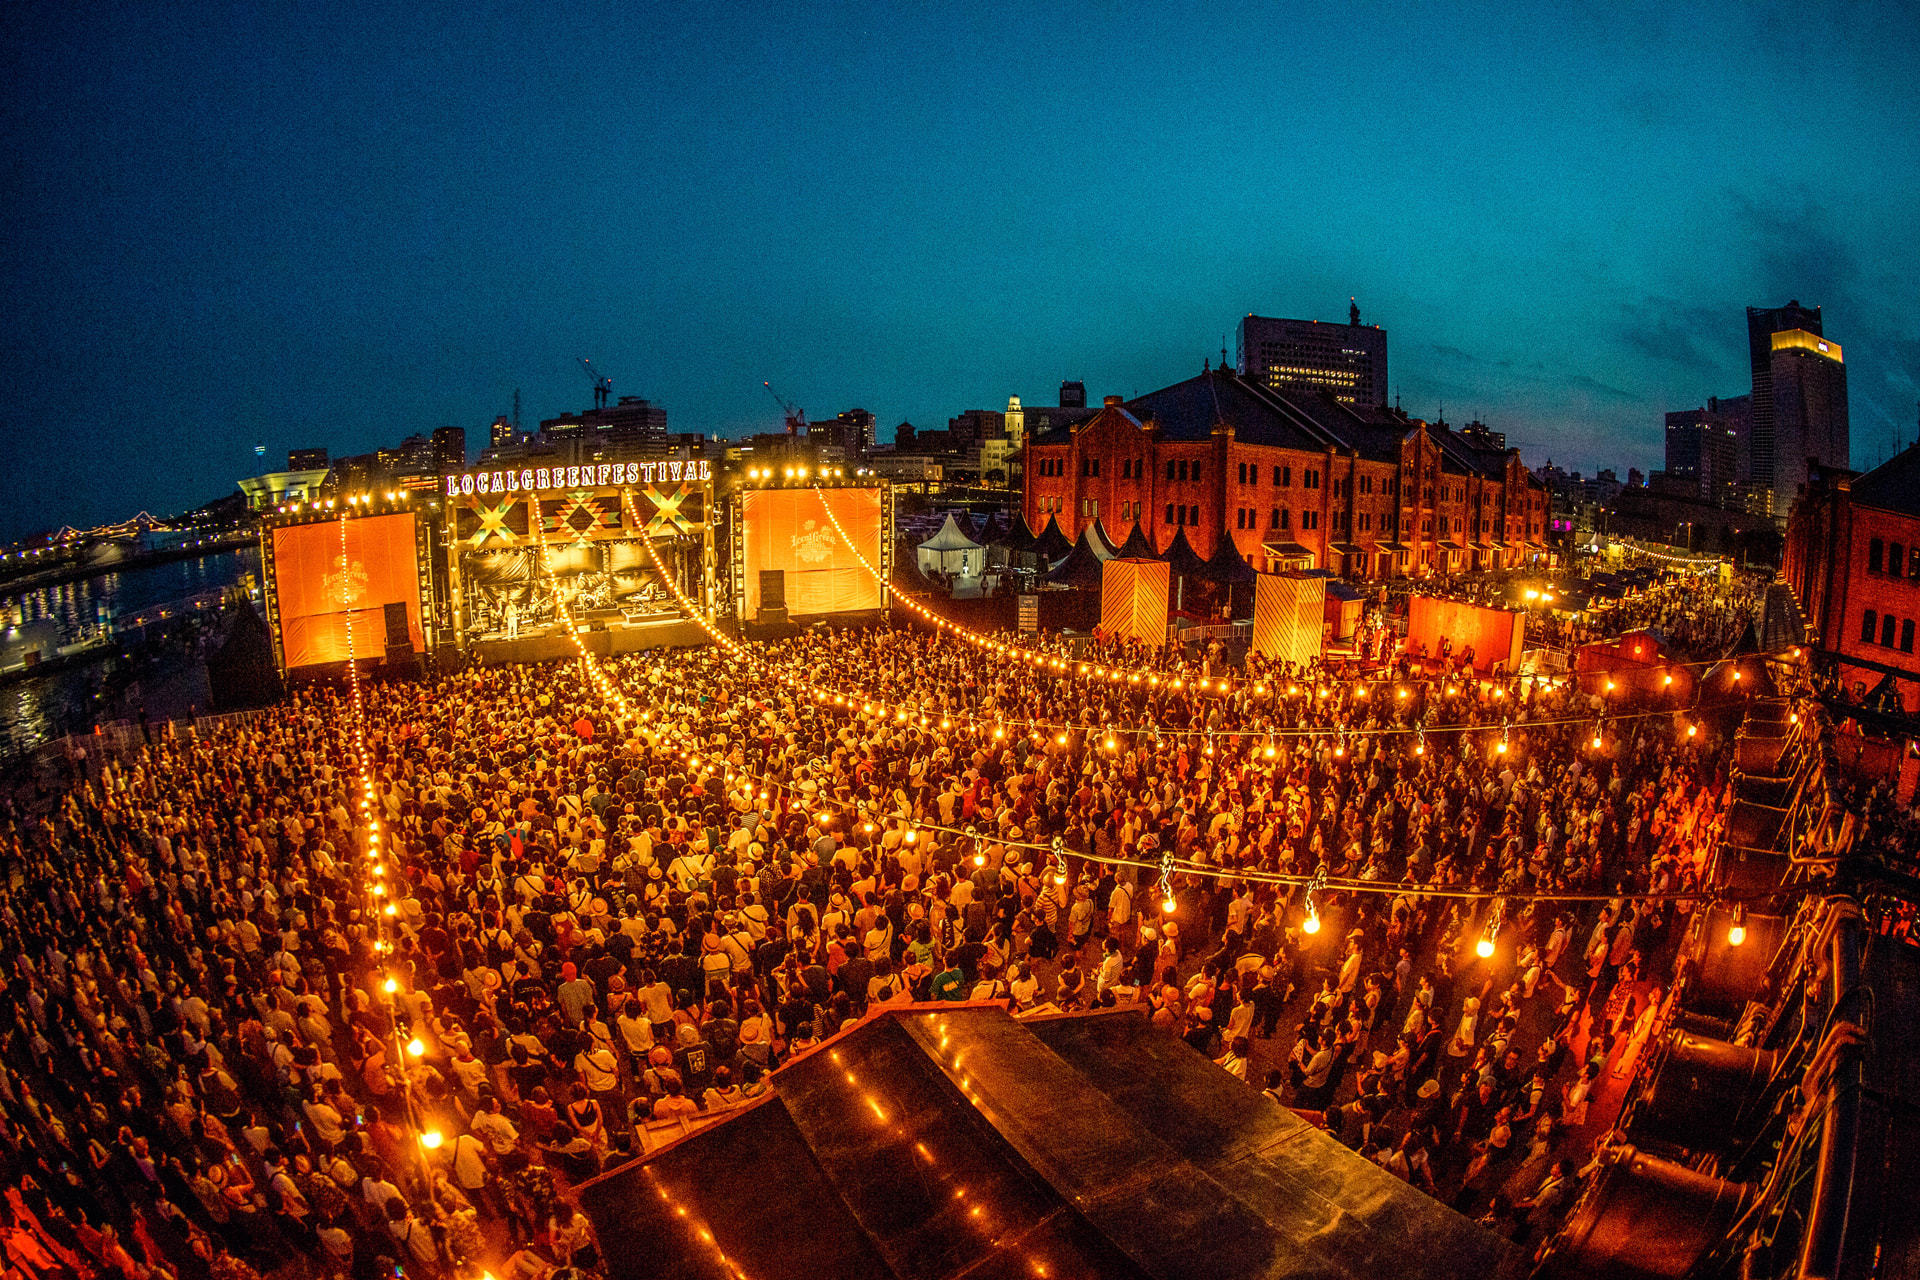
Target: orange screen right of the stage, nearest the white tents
790, 531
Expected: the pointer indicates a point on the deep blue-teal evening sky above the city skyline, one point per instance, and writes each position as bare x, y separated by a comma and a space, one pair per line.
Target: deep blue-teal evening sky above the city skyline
333, 225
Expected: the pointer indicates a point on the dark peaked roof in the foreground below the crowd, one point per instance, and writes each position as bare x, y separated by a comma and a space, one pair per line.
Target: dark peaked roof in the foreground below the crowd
951, 1141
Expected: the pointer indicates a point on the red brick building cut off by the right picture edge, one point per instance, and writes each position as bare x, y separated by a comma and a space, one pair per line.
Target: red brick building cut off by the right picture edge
1854, 563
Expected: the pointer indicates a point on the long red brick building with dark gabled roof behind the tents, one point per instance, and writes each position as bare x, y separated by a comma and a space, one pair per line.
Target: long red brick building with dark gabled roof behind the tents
1295, 483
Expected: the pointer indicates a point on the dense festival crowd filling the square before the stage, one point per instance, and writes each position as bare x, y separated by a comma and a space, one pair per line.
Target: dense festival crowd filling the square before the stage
608, 930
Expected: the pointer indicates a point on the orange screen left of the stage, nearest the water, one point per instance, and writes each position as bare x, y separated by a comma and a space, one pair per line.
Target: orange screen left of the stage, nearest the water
318, 588
